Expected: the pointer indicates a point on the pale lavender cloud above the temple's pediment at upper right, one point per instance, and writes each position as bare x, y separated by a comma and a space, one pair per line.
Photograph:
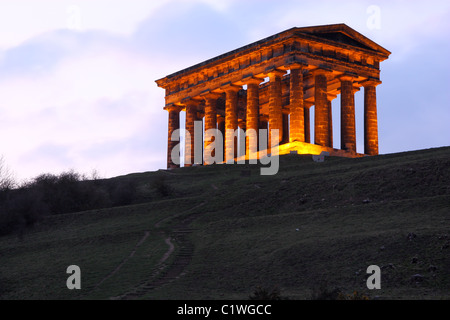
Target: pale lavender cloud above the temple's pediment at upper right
402, 24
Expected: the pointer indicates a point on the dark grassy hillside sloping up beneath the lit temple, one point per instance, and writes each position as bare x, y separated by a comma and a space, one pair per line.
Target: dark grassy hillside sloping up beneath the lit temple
219, 232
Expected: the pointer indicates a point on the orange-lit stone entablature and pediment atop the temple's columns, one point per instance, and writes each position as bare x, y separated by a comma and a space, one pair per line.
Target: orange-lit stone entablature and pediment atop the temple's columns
295, 48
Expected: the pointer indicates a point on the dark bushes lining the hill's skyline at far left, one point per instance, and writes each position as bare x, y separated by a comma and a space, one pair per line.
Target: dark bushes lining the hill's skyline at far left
49, 194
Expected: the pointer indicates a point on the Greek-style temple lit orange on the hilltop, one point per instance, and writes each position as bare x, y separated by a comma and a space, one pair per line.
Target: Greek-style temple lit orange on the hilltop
273, 84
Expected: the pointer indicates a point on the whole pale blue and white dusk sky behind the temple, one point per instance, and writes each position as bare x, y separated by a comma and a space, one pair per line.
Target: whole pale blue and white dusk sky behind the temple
77, 78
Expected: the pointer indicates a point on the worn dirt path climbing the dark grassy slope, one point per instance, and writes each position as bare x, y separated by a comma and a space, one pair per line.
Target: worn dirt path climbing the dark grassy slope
164, 273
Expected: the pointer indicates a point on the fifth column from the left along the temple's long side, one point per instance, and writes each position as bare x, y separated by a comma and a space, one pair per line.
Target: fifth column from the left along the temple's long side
252, 113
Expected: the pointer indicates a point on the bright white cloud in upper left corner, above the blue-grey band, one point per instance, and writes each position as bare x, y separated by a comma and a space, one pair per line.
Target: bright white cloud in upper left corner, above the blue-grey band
21, 20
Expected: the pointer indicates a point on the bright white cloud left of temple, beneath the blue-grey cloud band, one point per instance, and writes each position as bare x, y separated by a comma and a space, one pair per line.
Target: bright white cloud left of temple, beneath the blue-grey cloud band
99, 95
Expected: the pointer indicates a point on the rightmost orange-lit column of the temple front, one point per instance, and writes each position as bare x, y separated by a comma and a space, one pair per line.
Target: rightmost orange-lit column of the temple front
370, 118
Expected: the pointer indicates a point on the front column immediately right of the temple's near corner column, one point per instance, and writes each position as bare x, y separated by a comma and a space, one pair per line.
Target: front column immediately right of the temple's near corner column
321, 137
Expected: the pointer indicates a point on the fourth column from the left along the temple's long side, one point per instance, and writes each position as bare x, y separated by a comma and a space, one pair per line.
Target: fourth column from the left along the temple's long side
231, 121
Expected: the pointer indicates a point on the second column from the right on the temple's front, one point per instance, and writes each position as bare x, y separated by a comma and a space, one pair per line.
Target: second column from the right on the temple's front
348, 128
